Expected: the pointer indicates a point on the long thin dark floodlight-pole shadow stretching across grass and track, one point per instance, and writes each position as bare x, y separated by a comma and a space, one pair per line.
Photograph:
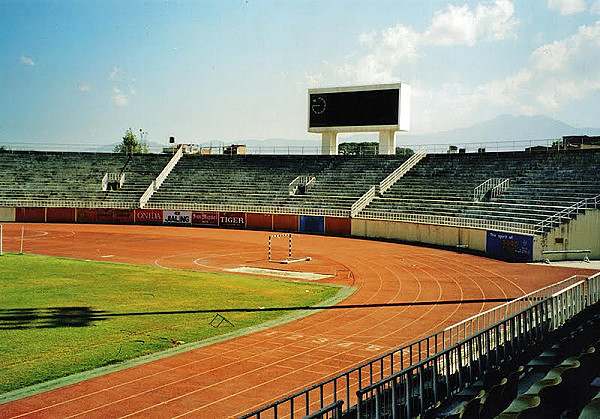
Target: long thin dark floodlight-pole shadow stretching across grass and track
41, 318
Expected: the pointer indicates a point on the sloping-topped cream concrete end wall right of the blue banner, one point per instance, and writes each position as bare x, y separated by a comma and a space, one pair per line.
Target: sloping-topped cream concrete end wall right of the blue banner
578, 234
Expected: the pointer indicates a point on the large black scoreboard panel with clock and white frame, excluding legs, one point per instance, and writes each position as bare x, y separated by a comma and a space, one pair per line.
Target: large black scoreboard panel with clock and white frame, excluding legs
363, 108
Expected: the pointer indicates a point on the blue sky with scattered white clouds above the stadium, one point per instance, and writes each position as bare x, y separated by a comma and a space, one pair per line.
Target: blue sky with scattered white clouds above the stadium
82, 72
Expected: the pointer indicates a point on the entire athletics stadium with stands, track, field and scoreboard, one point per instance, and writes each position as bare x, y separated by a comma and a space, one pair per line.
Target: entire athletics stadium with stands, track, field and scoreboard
430, 304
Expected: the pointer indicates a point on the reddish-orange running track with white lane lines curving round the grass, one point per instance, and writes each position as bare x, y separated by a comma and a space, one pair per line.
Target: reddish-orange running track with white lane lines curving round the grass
230, 378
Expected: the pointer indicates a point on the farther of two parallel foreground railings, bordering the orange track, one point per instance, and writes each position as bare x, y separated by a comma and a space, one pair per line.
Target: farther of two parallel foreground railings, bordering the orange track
353, 384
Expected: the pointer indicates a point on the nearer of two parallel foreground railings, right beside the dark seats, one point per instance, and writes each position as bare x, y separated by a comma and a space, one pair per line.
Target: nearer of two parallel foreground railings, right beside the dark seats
411, 391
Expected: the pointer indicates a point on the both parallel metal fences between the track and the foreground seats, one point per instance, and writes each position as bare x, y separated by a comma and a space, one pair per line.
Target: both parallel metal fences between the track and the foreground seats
441, 364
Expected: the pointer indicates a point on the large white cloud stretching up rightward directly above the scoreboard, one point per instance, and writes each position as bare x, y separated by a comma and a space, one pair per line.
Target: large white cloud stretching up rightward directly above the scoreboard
397, 45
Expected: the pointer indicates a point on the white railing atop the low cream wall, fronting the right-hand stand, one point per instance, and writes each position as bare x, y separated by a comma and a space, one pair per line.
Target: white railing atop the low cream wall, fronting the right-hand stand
477, 223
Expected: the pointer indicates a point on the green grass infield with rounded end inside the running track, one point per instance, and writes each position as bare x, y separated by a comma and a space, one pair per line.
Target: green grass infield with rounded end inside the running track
62, 316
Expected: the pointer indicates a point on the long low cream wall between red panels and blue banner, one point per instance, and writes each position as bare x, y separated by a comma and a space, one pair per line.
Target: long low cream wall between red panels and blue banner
421, 233
